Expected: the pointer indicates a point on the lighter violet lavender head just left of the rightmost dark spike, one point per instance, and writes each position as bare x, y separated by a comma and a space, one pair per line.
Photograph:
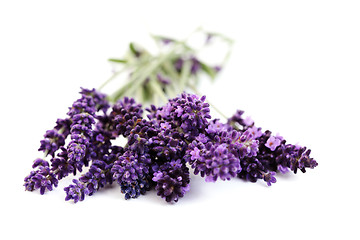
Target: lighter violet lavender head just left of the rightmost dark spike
217, 154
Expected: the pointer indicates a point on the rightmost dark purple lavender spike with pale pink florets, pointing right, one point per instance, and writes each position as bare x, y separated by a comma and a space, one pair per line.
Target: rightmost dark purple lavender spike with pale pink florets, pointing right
274, 155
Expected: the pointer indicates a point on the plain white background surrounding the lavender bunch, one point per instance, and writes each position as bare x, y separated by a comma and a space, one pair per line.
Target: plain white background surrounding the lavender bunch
294, 69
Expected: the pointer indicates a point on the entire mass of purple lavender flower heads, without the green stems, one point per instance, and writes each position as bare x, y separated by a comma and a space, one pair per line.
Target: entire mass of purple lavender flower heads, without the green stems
160, 150
